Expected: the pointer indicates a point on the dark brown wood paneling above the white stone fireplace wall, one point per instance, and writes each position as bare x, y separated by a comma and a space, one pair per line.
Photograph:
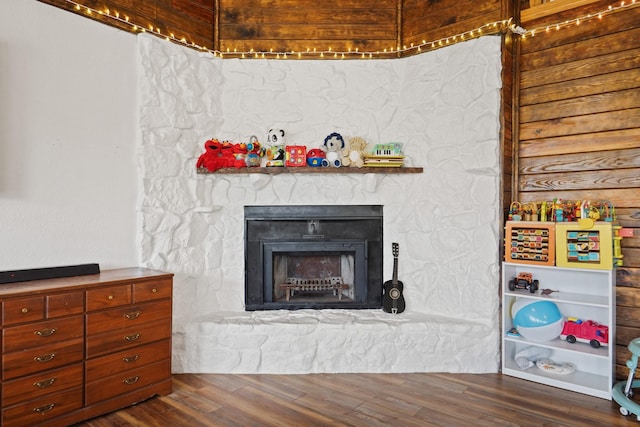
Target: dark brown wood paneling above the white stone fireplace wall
384, 27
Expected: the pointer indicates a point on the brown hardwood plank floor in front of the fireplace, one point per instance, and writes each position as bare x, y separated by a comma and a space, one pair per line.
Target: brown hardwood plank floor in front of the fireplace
365, 400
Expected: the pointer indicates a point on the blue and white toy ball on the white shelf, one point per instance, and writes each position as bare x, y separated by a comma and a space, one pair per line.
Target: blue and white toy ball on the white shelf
537, 320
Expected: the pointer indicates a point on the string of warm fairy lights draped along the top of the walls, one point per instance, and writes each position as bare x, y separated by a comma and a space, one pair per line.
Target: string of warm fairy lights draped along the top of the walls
495, 27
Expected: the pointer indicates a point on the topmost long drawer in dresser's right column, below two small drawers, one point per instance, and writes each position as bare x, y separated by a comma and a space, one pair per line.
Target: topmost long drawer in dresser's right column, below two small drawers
126, 317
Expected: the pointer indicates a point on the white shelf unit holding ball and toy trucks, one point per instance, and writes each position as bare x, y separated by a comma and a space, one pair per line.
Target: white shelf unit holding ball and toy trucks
587, 294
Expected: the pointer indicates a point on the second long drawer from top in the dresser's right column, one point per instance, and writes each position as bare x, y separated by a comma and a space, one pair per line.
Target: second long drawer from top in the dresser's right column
100, 344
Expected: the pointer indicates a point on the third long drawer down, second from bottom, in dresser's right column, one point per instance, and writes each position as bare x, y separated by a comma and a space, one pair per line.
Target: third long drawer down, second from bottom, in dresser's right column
111, 364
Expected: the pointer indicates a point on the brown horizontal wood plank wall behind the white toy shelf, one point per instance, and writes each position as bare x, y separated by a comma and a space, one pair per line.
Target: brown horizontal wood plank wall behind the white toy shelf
579, 130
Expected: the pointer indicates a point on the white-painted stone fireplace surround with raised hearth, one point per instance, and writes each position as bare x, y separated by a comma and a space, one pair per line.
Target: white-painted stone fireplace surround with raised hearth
444, 105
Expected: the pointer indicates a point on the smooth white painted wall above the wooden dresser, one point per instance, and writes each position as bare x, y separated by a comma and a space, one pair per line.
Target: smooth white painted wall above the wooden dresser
68, 133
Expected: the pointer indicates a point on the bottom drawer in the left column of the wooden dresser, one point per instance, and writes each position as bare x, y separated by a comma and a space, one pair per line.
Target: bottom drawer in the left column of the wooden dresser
40, 411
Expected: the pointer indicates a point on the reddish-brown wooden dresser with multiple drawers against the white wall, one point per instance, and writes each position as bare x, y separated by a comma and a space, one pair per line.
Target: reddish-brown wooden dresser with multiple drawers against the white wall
78, 347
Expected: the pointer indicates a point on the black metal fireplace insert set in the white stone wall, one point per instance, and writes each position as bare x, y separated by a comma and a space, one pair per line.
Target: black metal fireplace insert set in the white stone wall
313, 256
